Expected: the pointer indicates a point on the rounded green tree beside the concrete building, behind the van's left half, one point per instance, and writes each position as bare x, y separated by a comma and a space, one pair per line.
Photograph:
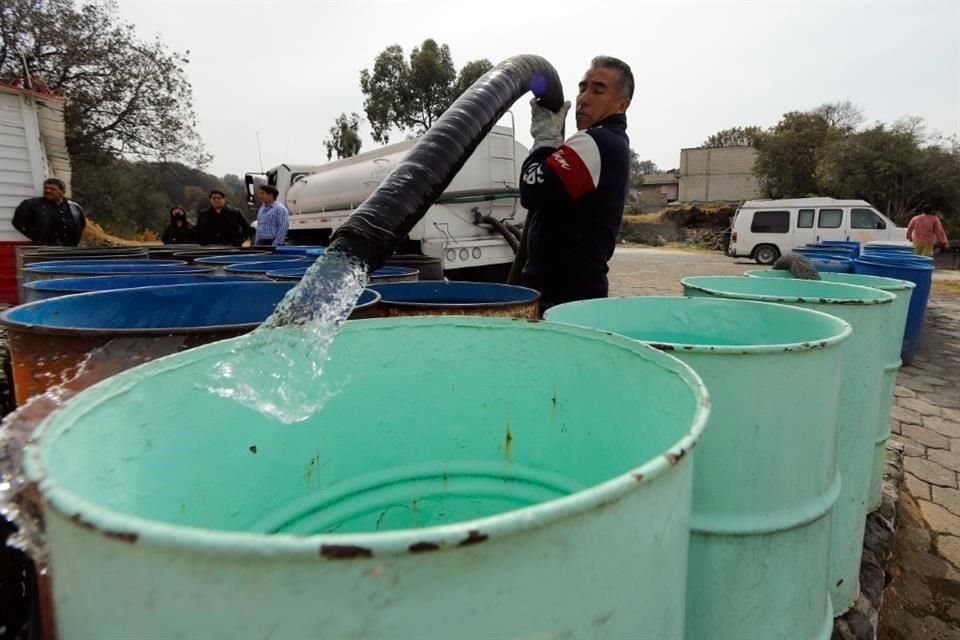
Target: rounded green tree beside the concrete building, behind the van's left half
787, 154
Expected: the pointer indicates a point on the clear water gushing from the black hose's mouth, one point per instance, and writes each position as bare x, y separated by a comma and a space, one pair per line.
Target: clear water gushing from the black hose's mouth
265, 369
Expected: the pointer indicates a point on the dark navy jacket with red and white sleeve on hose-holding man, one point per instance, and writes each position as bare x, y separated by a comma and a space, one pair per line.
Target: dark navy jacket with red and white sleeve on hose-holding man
574, 195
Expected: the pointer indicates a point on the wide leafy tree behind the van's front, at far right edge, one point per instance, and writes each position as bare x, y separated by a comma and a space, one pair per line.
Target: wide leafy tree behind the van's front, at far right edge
893, 168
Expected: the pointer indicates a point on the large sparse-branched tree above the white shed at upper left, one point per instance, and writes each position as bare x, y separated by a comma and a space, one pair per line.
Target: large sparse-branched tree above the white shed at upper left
124, 96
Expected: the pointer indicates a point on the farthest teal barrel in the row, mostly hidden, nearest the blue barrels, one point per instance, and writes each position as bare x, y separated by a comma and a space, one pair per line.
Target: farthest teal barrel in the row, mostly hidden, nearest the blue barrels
896, 327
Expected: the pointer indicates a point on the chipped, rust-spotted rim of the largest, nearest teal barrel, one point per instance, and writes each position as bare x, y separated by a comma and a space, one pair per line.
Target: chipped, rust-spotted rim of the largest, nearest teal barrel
345, 546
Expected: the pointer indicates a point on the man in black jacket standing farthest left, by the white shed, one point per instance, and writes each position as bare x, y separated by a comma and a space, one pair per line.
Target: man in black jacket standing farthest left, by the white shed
51, 220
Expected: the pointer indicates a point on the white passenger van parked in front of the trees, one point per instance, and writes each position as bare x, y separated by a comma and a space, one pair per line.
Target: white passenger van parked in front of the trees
766, 229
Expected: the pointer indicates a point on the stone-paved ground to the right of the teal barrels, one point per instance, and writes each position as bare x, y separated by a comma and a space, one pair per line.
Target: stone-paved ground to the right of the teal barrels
922, 600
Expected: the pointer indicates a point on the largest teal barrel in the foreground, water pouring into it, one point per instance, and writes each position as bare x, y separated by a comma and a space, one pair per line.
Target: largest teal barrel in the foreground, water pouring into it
501, 501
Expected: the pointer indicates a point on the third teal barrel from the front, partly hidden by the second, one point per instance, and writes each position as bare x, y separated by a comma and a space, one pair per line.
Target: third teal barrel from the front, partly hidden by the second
864, 358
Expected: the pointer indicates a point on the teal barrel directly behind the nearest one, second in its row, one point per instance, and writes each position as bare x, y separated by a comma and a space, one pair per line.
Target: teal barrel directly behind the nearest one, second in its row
765, 475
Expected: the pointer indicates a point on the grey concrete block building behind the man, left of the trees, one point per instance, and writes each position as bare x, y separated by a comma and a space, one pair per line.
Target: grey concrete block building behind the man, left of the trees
721, 174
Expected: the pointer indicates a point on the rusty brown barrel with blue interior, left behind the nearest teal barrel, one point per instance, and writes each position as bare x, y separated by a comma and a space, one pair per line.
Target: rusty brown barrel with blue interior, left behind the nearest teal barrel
50, 339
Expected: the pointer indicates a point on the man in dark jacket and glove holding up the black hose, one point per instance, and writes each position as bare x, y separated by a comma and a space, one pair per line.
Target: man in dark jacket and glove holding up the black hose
575, 190
